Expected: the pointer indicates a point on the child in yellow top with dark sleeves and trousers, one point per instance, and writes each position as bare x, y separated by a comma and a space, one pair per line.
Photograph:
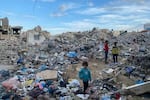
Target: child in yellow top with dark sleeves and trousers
115, 52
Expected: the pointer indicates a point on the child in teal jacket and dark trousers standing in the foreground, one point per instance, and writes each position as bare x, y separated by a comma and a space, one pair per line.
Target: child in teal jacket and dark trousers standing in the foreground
85, 75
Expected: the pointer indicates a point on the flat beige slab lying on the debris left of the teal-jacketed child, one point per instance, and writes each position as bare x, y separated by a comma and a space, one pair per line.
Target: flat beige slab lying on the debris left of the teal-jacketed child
47, 74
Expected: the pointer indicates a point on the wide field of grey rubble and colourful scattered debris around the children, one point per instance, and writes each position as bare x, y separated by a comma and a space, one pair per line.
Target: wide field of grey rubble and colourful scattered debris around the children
48, 70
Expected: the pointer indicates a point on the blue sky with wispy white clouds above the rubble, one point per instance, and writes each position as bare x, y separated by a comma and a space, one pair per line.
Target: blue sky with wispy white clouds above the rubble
58, 16
